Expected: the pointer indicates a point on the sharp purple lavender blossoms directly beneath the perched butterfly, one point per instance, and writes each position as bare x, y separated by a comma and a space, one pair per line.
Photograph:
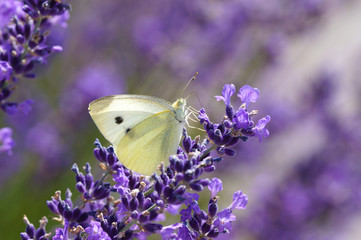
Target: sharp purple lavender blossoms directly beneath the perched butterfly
132, 205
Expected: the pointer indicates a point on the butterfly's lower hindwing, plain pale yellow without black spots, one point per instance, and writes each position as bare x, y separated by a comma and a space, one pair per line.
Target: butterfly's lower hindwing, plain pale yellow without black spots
150, 142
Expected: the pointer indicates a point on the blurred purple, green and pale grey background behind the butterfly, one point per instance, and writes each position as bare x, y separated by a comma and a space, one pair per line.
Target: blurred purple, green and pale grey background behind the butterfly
303, 182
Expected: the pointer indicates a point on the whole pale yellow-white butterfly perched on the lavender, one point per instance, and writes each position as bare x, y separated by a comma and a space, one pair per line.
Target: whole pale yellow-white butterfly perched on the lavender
143, 130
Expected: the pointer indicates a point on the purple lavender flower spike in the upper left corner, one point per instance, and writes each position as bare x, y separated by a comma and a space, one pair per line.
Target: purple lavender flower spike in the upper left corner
24, 29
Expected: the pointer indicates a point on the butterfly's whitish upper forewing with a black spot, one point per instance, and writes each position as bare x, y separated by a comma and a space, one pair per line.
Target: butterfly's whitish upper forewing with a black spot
117, 114
